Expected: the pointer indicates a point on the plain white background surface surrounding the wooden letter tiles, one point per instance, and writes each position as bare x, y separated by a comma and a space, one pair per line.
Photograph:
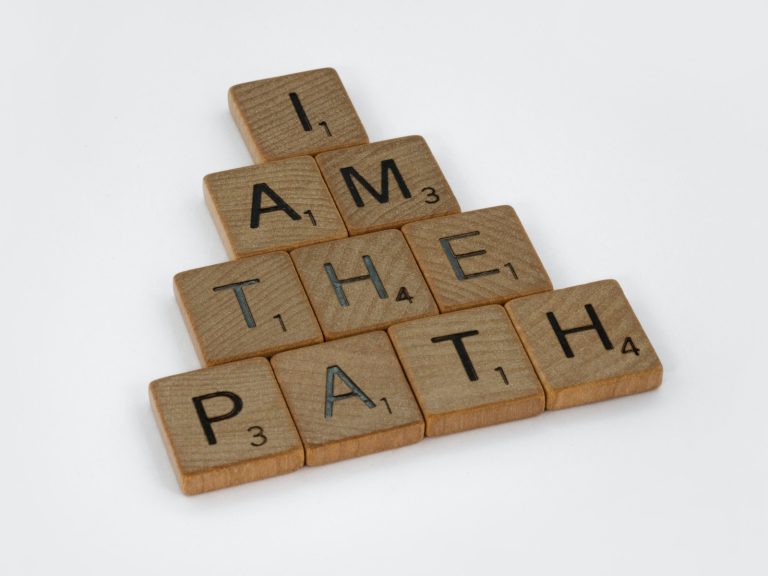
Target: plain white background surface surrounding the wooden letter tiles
630, 138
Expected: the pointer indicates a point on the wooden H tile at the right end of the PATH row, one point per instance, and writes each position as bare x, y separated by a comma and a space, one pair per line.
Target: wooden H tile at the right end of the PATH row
586, 344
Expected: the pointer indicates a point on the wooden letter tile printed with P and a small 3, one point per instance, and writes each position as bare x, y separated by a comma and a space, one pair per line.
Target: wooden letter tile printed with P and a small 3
226, 425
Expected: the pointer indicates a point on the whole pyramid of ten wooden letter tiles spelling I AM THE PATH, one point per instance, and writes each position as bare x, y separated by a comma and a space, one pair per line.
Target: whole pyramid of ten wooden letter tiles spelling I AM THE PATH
362, 310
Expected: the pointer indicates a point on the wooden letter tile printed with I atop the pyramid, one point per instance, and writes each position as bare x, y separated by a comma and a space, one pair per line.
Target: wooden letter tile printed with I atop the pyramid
295, 115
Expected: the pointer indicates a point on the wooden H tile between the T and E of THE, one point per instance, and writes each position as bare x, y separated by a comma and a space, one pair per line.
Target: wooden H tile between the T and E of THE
363, 283
